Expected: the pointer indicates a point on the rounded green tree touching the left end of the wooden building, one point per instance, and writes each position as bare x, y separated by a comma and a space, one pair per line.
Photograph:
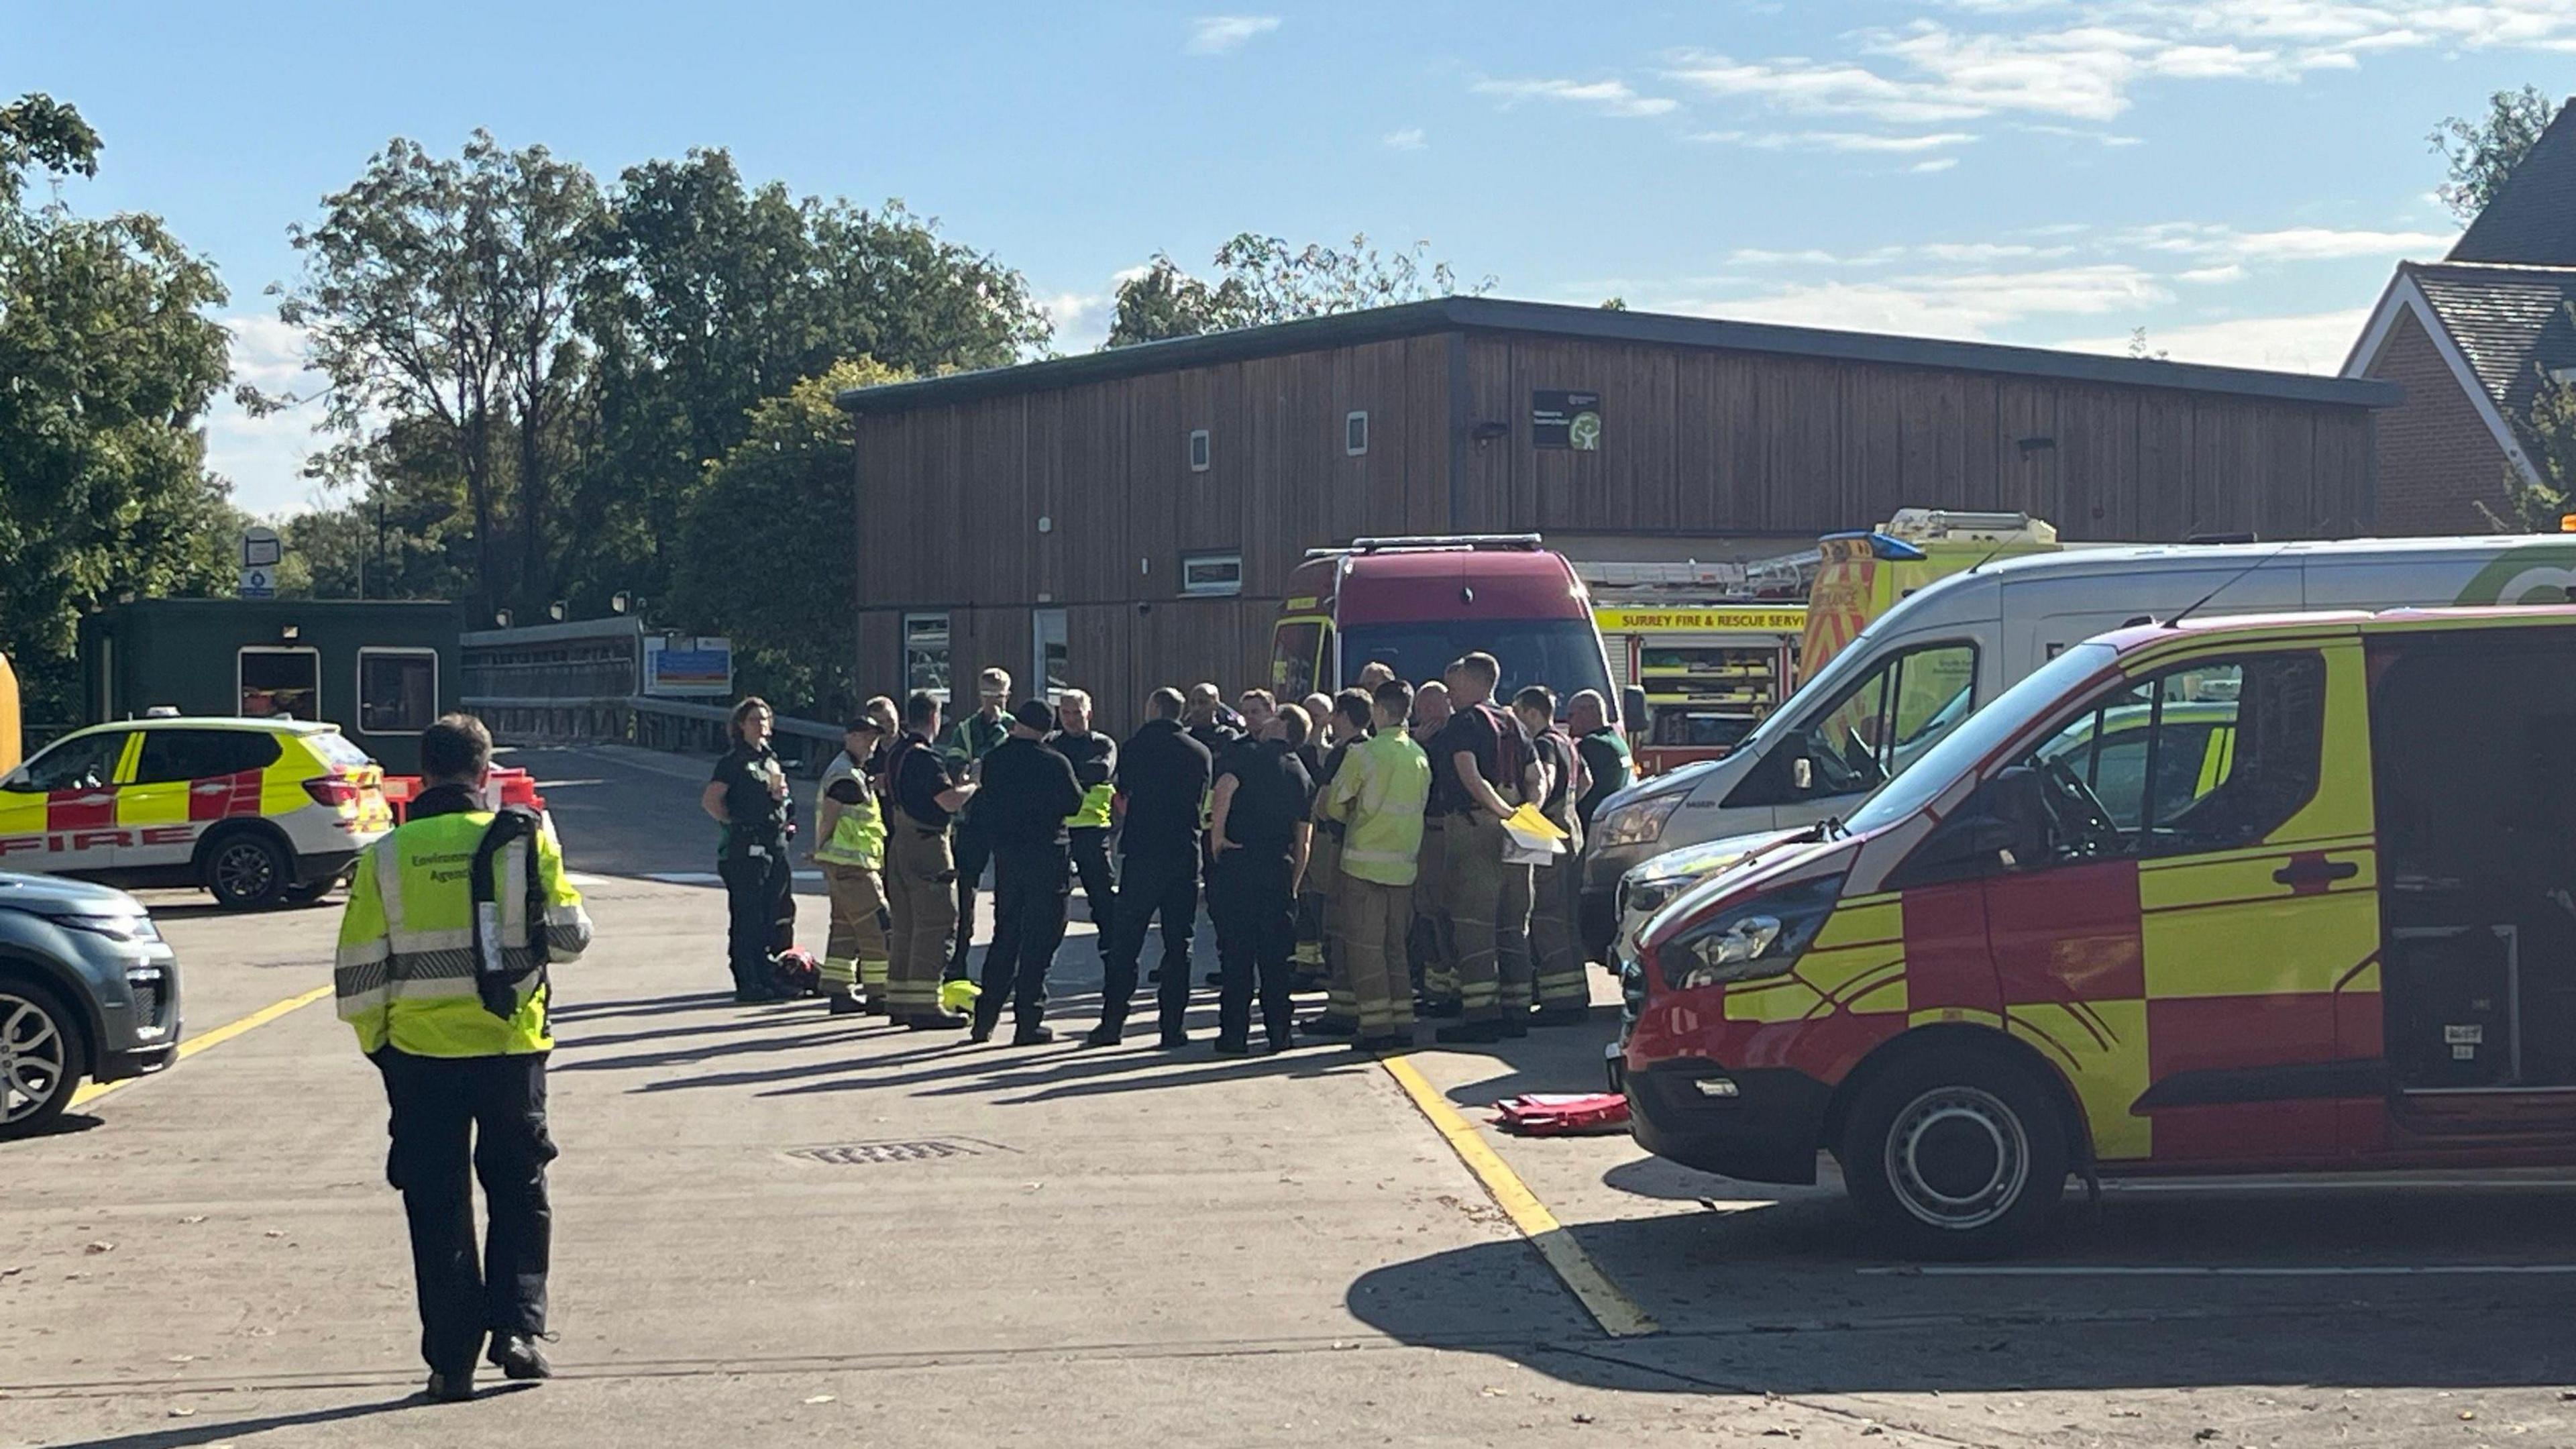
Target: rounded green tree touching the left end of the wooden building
787, 499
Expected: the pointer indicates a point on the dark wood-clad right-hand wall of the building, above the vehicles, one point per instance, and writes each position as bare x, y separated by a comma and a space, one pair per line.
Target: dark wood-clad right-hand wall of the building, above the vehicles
1712, 442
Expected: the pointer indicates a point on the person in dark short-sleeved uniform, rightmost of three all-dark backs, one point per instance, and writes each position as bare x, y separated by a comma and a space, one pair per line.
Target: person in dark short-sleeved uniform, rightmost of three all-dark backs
1261, 834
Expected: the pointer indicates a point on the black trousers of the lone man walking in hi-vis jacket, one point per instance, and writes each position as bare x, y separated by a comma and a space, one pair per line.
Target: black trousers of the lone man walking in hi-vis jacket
491, 1115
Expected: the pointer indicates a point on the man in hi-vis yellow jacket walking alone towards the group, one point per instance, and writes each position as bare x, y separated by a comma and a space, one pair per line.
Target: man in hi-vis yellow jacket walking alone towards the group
442, 968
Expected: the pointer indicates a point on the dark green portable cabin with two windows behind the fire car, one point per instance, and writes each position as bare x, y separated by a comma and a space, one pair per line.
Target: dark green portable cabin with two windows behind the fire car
375, 669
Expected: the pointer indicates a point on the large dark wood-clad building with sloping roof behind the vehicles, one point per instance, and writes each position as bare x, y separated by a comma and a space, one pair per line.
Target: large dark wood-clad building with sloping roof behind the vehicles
1127, 520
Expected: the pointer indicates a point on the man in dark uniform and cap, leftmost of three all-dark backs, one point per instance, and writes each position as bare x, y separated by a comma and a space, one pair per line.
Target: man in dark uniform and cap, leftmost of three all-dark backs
1024, 801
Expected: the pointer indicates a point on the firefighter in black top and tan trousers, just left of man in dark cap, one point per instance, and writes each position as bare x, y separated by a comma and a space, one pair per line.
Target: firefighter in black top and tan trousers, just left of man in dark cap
921, 870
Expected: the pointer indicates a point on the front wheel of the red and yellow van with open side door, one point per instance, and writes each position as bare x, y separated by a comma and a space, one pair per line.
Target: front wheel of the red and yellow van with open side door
1956, 1154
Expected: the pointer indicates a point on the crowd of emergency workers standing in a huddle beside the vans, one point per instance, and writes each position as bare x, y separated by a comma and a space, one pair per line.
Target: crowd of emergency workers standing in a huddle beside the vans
1351, 844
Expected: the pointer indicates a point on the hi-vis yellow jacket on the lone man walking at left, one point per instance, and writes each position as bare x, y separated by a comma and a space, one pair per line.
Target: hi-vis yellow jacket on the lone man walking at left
406, 966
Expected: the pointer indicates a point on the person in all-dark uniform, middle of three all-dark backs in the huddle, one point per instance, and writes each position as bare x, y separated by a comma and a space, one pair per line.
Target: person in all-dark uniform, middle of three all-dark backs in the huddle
1163, 780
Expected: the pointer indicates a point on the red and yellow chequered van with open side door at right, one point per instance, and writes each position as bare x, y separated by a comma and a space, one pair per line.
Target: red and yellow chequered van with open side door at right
2260, 896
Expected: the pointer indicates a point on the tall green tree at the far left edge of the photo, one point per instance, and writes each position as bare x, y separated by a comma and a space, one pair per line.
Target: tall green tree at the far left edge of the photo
107, 367
